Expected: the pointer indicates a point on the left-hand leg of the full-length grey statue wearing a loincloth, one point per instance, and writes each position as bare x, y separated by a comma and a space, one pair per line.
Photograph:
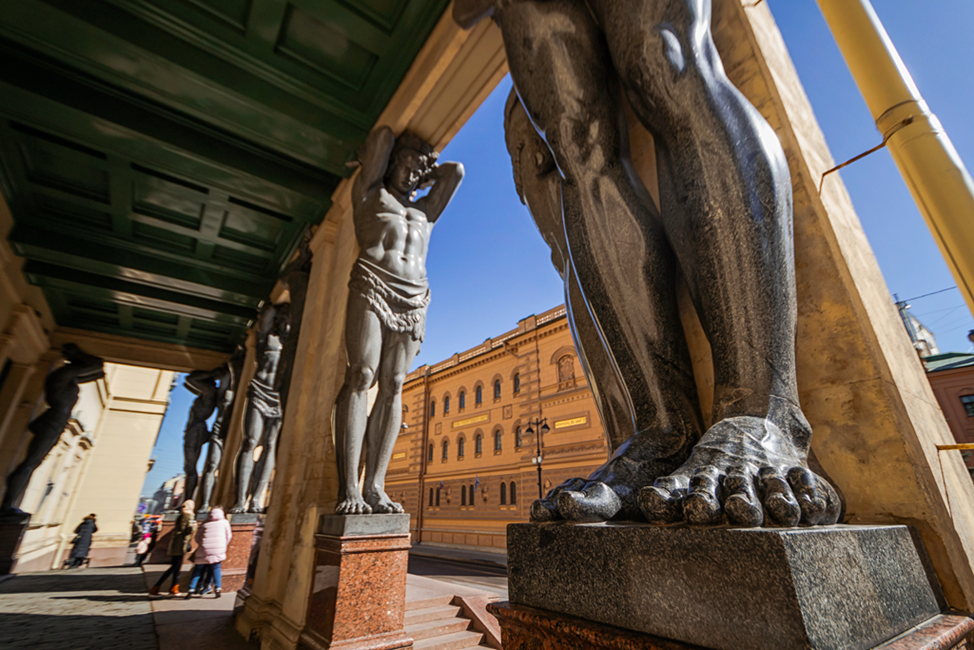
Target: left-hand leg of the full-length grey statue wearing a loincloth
363, 346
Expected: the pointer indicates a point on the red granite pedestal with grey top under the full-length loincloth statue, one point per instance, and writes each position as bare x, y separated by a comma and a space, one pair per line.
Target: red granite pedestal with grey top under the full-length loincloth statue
358, 596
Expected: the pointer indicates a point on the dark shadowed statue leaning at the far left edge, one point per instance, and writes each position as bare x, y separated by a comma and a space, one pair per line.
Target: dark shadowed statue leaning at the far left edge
61, 393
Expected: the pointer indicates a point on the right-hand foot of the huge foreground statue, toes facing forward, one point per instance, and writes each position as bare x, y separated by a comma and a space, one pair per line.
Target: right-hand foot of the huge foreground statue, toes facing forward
745, 472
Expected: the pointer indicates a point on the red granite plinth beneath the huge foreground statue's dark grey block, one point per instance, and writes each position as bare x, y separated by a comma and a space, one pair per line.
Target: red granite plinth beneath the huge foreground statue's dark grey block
526, 628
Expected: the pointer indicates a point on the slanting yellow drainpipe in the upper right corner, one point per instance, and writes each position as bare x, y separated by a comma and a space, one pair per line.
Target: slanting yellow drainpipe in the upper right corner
931, 167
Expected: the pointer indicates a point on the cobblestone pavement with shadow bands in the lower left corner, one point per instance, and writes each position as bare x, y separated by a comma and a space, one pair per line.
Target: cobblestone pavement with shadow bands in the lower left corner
99, 609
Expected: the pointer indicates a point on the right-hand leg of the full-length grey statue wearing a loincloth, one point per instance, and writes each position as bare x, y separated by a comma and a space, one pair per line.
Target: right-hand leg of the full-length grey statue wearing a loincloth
398, 352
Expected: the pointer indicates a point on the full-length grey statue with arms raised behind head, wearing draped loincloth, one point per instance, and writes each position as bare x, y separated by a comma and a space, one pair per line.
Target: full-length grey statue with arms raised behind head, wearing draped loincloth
388, 296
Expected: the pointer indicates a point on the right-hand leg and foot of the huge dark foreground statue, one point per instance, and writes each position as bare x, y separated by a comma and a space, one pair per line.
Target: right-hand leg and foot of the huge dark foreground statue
727, 208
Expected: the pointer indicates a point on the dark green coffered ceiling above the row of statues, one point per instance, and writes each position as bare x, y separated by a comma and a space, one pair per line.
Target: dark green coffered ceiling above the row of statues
163, 158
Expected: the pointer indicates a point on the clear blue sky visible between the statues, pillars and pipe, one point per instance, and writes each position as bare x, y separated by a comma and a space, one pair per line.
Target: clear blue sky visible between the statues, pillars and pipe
488, 266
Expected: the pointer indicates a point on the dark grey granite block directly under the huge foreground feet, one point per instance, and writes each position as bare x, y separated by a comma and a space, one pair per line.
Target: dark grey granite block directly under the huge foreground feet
840, 588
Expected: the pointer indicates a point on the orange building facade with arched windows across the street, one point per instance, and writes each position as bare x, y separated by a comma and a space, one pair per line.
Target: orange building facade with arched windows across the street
463, 466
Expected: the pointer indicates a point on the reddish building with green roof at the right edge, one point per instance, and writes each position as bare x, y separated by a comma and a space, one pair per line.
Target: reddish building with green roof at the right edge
951, 376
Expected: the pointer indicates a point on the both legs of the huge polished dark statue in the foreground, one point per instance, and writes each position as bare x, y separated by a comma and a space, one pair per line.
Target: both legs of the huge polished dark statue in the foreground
724, 222
